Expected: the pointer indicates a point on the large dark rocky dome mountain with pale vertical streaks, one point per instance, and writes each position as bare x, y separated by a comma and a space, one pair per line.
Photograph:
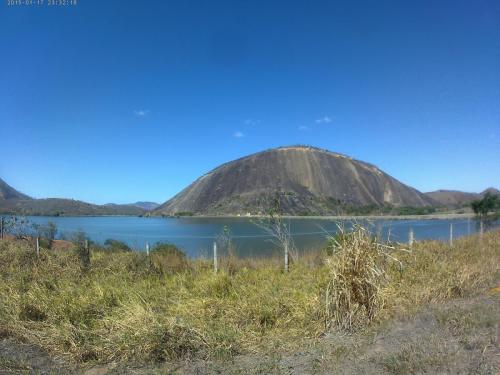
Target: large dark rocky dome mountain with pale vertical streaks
310, 180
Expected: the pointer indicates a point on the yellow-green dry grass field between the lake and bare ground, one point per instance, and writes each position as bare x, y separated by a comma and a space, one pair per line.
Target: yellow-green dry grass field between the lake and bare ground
124, 309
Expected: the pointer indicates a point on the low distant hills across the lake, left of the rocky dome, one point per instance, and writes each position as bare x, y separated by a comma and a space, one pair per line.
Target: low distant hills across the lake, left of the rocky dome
14, 202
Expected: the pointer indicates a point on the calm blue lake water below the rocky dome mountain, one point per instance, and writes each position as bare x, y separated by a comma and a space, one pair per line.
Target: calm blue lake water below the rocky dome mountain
196, 235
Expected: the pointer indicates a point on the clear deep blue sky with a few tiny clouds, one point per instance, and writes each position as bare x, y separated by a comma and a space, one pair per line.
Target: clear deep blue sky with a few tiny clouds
119, 101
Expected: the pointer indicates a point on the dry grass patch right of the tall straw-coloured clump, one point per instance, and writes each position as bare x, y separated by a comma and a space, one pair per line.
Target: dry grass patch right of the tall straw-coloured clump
434, 272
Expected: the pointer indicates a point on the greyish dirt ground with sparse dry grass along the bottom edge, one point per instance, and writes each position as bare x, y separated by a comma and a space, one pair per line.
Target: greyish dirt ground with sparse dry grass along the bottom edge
459, 337
